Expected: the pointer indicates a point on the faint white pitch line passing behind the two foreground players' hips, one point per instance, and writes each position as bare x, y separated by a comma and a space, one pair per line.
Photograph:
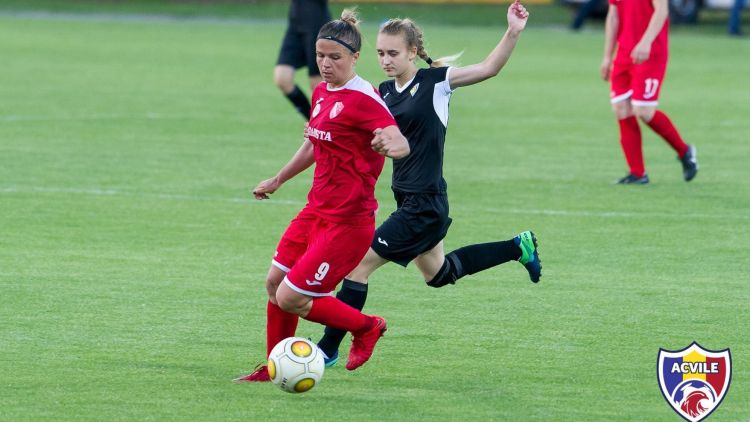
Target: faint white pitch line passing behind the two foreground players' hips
274, 201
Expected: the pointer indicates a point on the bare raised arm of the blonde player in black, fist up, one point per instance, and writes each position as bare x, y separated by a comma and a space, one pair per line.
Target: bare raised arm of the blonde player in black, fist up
469, 75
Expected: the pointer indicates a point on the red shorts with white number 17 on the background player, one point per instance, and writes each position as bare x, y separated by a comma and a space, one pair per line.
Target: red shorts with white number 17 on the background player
639, 82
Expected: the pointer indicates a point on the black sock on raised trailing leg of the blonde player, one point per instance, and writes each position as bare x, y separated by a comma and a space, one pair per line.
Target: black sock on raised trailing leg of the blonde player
474, 258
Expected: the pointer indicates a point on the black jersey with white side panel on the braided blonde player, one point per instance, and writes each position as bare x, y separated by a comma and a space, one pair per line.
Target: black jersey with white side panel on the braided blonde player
421, 111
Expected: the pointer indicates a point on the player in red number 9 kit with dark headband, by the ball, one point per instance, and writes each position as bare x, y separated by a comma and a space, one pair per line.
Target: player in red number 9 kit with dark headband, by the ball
331, 234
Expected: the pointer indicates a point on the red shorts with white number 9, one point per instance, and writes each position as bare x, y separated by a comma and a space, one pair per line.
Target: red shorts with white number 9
317, 253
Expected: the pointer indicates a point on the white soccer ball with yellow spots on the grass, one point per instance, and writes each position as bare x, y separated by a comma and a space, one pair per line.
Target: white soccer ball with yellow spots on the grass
296, 365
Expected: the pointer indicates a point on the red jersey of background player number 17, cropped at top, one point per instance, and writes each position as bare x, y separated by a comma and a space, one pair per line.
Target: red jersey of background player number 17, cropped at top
634, 16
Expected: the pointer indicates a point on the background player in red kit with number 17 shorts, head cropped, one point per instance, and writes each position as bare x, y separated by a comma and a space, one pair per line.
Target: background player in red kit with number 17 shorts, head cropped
639, 30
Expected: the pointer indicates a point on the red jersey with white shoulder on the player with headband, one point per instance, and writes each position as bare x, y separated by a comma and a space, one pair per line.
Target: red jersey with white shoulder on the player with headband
346, 168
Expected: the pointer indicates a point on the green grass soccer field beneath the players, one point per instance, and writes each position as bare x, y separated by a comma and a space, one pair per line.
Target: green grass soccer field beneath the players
132, 259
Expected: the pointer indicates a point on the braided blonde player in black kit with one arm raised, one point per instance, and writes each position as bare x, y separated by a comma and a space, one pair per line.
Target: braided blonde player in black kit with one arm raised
418, 99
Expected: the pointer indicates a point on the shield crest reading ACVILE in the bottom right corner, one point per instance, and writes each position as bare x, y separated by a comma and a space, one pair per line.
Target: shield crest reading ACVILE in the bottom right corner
694, 380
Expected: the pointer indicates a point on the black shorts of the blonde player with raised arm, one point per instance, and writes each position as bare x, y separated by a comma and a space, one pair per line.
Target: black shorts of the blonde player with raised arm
419, 223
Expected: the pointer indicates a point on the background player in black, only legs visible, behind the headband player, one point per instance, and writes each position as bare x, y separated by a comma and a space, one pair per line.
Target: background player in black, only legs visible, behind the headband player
306, 17
